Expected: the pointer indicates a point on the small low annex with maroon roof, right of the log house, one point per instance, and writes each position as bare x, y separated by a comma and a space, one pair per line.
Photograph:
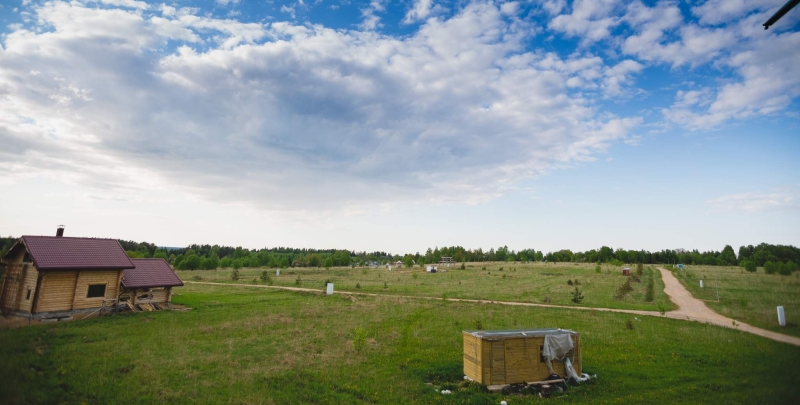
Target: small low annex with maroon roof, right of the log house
149, 282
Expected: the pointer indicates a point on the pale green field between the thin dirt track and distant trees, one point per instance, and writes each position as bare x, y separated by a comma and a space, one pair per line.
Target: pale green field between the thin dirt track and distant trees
525, 282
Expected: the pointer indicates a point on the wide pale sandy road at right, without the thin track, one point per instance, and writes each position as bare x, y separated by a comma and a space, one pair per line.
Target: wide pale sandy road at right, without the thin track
691, 308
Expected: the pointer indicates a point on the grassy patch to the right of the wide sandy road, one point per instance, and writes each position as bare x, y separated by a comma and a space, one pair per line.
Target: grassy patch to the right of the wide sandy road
752, 298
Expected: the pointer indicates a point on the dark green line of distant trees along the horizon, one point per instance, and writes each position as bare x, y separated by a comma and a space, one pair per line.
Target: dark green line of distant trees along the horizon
774, 258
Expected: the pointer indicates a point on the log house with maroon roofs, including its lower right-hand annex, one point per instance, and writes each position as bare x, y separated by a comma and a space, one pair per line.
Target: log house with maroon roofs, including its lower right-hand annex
46, 274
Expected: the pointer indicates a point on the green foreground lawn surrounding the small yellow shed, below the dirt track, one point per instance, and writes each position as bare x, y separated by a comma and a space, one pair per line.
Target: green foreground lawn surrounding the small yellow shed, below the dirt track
240, 345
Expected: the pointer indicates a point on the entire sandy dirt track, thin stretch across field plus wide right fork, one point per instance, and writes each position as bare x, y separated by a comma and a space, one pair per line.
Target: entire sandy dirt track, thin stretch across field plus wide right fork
690, 308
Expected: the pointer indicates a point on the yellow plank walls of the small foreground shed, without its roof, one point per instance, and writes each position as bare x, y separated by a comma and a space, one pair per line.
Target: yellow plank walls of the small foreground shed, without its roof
512, 360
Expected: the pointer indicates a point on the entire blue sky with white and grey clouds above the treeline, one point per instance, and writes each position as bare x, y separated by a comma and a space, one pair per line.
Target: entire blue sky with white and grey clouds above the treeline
398, 126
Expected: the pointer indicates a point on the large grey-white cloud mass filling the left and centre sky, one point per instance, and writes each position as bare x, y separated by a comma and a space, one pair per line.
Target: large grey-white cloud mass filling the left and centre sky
292, 117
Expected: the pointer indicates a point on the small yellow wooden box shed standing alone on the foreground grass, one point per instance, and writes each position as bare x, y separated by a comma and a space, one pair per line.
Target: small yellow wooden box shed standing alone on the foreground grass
496, 357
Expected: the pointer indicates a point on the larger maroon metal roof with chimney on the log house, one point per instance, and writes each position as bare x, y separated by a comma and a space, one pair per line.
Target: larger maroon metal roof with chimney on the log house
61, 253
